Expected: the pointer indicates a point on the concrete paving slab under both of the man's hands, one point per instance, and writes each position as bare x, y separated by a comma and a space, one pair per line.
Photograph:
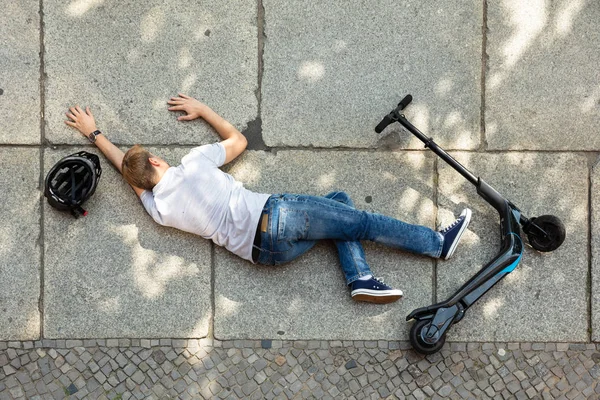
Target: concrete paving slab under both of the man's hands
126, 59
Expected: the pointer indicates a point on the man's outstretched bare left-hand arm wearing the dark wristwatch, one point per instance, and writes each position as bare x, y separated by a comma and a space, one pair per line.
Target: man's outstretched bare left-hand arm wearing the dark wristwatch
85, 123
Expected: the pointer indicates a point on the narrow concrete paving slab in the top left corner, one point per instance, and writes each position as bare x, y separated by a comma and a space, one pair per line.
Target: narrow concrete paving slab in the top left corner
20, 72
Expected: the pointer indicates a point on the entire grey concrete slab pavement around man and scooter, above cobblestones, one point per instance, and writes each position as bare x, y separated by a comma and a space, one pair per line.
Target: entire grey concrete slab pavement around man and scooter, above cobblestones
504, 81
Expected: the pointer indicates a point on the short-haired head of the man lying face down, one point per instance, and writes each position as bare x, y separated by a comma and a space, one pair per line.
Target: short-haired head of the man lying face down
141, 168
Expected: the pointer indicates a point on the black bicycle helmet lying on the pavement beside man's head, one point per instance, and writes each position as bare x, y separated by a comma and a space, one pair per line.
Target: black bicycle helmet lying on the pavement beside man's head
72, 181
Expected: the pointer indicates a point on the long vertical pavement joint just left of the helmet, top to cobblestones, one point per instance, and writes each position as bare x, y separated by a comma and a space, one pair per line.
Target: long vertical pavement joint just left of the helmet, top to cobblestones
42, 87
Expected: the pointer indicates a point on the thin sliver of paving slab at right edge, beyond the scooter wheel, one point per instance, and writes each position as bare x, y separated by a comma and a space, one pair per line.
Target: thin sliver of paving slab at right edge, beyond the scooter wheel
595, 239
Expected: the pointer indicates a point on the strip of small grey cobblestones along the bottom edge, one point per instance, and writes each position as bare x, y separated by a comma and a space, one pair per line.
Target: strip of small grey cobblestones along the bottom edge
247, 369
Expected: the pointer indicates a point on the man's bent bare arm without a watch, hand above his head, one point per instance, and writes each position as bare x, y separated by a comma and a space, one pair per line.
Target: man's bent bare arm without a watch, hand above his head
233, 140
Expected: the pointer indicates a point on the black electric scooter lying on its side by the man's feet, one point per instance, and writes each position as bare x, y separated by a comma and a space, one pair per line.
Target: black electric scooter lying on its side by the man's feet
545, 233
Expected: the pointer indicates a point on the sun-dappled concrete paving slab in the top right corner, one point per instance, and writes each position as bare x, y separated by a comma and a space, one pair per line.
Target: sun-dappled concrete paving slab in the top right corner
542, 88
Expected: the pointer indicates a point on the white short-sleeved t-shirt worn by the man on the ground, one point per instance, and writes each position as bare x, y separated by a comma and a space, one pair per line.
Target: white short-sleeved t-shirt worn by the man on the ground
198, 197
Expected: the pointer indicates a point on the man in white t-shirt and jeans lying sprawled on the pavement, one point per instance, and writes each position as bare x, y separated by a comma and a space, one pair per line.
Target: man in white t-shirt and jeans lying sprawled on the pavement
198, 197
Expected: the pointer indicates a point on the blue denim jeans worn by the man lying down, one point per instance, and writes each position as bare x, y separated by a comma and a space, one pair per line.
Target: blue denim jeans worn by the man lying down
296, 222
